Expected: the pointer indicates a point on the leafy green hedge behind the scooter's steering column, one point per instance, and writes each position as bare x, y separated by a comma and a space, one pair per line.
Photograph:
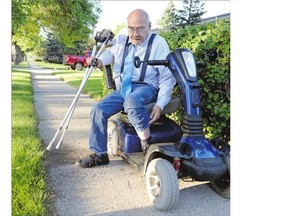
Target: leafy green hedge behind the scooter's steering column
214, 79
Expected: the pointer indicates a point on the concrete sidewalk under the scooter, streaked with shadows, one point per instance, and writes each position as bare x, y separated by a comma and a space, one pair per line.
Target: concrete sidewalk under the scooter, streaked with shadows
115, 189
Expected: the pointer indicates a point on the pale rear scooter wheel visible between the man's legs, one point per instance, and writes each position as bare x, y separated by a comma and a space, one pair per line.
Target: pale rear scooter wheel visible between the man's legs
112, 138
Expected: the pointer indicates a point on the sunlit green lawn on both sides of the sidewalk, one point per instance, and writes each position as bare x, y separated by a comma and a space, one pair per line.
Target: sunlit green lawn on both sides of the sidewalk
29, 192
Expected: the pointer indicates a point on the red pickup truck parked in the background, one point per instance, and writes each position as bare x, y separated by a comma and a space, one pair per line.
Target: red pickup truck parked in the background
75, 61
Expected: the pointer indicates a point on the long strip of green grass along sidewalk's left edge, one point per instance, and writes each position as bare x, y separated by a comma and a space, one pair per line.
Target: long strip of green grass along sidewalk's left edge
28, 176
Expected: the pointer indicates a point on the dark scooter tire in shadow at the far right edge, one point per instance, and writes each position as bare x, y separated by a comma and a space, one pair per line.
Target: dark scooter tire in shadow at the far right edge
222, 185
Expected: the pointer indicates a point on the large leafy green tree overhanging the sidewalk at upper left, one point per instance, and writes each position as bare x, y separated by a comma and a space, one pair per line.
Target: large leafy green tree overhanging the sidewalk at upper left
67, 20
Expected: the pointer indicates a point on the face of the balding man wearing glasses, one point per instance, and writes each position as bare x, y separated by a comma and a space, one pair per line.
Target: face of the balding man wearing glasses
138, 28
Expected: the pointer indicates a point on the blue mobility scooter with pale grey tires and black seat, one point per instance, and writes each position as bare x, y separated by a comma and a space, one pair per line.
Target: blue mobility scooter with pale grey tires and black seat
178, 153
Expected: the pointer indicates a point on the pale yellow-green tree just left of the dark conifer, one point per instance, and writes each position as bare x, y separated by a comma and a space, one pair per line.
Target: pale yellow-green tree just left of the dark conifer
168, 16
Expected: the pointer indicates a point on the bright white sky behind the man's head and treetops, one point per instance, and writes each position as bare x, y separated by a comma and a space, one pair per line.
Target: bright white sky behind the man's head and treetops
116, 12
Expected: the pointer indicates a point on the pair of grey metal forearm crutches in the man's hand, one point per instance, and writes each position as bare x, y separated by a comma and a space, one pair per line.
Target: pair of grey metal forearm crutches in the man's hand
103, 37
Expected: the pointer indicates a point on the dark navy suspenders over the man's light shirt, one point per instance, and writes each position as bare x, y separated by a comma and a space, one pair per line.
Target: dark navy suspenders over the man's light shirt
146, 57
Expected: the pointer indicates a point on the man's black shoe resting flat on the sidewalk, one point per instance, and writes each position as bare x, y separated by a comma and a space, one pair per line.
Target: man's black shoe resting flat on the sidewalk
93, 160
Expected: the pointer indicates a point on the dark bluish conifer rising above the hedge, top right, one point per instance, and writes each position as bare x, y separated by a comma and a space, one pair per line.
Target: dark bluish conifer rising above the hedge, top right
190, 14
